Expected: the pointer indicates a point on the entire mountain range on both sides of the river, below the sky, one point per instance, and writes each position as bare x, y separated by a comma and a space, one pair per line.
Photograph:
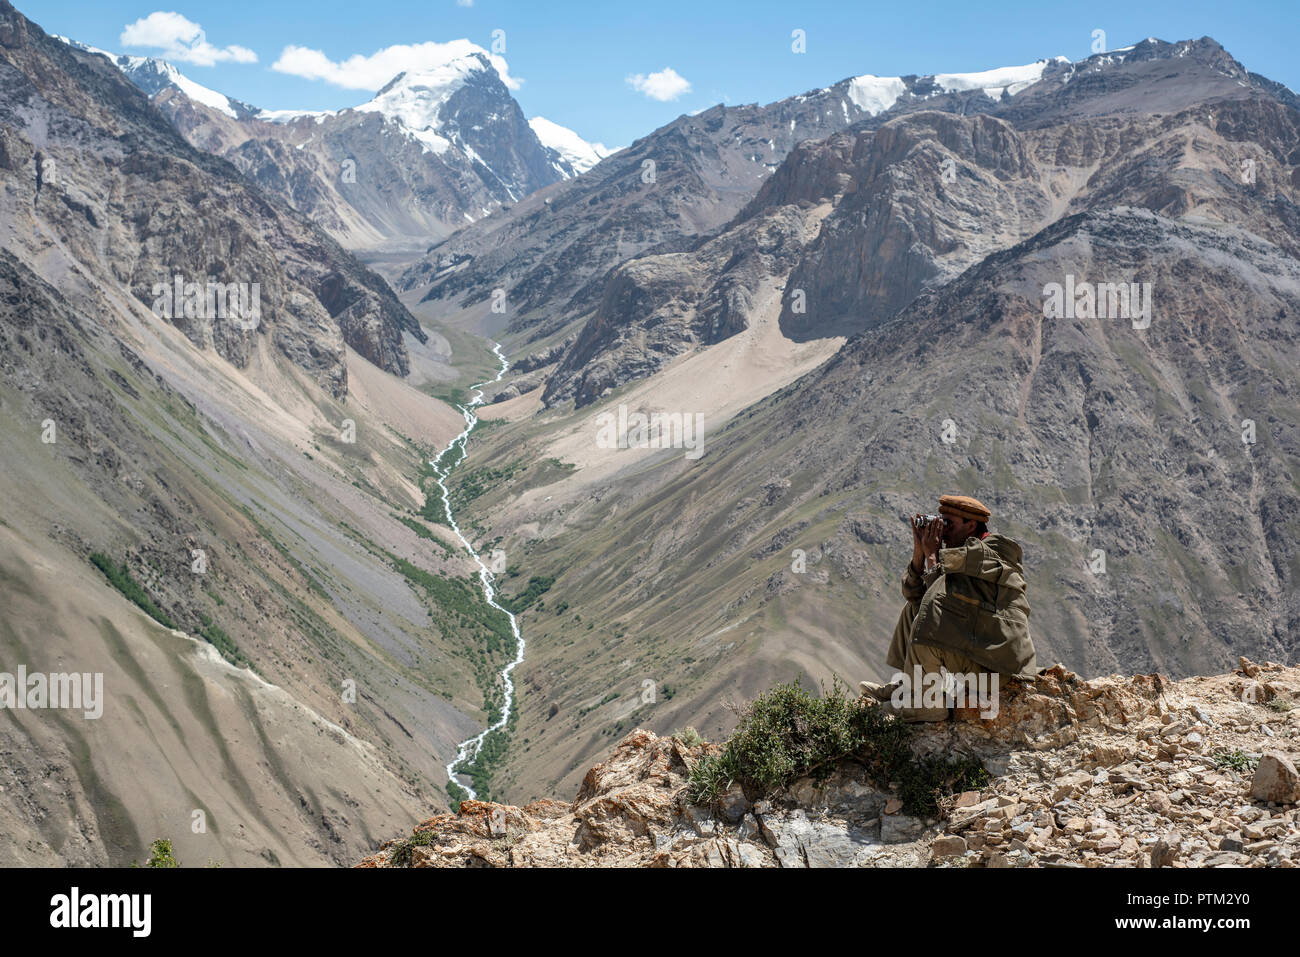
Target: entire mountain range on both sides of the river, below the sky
869, 295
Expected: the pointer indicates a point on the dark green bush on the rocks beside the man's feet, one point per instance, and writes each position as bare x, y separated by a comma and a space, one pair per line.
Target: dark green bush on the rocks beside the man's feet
790, 733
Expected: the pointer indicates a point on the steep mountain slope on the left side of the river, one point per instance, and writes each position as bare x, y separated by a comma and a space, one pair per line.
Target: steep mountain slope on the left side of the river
219, 513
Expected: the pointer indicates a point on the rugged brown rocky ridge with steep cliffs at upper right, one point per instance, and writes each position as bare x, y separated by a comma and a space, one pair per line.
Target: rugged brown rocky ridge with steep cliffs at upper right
917, 196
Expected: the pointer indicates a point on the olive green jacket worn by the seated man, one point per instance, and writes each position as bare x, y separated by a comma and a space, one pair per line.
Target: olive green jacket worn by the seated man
974, 603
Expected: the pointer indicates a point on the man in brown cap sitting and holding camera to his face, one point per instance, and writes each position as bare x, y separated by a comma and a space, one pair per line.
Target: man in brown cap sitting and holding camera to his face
967, 609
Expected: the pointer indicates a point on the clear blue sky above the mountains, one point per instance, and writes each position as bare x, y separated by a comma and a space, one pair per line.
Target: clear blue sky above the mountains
575, 59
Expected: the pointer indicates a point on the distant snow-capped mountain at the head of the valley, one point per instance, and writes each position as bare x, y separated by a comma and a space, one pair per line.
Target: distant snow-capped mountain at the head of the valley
430, 153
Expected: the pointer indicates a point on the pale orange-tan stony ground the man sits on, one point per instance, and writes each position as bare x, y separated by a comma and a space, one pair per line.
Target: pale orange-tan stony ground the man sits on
1111, 773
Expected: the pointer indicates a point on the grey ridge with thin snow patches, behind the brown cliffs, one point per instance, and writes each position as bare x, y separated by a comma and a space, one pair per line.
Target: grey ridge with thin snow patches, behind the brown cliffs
553, 253
